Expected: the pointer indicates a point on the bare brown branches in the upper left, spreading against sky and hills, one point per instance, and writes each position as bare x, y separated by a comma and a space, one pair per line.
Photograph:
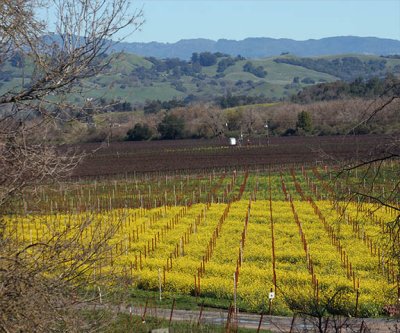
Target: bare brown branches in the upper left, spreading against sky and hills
57, 65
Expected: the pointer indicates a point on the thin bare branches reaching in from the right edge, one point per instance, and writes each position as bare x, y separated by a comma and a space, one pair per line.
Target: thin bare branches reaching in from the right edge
375, 177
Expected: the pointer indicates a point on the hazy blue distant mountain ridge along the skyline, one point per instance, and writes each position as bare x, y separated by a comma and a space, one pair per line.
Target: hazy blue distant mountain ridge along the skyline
261, 47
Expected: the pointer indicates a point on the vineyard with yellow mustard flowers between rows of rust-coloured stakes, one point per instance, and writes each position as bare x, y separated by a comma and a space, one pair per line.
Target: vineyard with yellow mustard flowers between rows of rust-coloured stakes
234, 235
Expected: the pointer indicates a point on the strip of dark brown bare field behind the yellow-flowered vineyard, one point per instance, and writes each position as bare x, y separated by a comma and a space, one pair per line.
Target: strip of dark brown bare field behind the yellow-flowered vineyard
168, 156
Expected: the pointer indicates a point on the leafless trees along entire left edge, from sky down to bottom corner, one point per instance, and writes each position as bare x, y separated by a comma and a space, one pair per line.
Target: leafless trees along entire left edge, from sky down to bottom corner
39, 281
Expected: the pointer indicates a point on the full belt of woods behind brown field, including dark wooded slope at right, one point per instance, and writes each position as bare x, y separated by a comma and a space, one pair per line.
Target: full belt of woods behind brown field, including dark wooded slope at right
329, 109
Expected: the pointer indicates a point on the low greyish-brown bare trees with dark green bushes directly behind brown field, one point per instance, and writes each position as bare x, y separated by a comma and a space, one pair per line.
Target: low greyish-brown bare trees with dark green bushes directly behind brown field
336, 117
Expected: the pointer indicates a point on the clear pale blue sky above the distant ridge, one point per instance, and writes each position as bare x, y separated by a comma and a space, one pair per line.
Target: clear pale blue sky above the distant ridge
170, 21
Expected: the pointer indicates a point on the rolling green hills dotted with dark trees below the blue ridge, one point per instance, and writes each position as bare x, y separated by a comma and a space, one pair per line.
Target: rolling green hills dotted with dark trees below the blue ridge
135, 79
